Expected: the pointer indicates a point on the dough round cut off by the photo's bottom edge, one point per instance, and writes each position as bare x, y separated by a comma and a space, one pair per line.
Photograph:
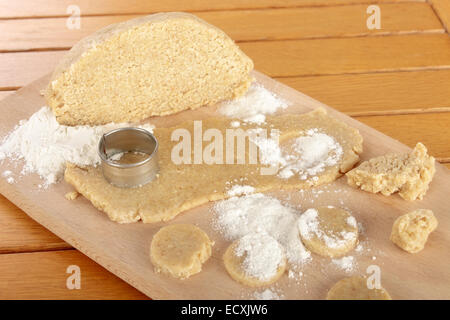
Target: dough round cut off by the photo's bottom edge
356, 288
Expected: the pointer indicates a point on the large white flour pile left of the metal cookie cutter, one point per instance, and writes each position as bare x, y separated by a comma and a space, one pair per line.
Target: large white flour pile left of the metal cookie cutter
46, 146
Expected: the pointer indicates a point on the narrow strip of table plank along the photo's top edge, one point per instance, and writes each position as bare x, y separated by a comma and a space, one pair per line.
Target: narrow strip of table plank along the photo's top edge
49, 8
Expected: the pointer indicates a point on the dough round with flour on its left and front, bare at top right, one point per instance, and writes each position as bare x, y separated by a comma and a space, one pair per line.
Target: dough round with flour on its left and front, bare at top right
328, 231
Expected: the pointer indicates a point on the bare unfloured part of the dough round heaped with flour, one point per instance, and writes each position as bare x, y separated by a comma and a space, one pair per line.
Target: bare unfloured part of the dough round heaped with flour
235, 264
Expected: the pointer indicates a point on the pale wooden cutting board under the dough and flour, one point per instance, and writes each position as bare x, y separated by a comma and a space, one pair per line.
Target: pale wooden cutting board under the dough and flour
124, 249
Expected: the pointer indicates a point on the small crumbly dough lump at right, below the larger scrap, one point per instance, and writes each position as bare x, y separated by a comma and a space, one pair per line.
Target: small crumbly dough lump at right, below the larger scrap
410, 231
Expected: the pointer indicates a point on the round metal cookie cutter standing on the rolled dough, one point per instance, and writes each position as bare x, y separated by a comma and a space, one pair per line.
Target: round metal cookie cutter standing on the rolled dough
123, 140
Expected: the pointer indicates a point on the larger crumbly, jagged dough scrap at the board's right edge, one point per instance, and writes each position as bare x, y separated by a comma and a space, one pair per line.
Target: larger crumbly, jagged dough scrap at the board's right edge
408, 174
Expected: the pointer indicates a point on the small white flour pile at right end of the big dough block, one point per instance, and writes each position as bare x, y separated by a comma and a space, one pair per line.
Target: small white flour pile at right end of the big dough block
253, 106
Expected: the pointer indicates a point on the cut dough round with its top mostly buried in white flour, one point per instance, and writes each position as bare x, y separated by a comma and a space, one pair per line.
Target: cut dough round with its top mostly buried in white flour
255, 260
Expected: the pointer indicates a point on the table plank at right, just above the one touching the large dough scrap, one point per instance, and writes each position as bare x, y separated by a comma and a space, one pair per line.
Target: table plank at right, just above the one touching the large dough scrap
379, 93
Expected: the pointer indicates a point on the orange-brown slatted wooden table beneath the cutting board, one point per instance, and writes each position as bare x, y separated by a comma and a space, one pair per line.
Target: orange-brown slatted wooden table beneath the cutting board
395, 79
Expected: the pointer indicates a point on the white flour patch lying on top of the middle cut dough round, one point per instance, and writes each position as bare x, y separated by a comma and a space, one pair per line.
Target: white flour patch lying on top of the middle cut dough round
262, 254
